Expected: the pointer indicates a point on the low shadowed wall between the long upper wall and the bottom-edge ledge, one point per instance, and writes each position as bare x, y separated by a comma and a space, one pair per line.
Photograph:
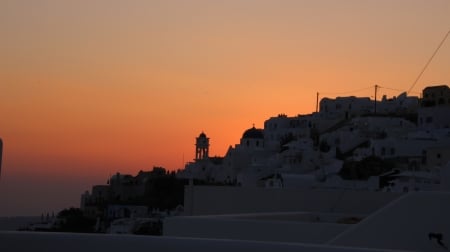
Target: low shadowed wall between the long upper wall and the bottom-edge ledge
227, 227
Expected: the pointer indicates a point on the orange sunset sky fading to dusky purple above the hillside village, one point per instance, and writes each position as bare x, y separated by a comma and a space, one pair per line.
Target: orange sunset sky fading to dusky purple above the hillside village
90, 88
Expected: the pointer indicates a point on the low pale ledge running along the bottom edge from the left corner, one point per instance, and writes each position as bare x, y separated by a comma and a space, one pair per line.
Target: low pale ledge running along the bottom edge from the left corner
37, 241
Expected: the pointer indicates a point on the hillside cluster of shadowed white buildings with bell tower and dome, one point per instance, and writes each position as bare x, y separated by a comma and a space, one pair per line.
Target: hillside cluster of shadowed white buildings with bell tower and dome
410, 134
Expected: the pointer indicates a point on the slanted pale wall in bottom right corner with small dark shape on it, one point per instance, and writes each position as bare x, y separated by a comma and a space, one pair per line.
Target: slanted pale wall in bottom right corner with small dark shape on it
403, 224
